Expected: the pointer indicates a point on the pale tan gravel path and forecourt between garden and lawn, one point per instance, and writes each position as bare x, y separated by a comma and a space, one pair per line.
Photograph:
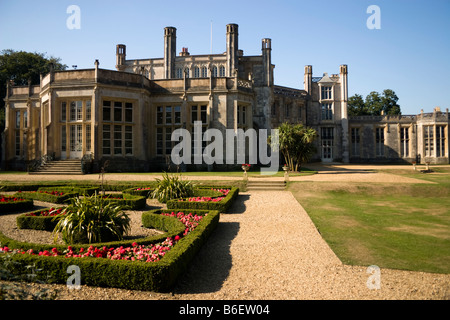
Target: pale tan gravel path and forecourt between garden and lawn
266, 247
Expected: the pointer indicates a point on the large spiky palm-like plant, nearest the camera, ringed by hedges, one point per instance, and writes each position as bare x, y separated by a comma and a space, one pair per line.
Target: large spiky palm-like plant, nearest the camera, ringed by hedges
91, 219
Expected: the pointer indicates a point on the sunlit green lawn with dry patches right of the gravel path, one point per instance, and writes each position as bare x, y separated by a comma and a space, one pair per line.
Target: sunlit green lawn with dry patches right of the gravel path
393, 226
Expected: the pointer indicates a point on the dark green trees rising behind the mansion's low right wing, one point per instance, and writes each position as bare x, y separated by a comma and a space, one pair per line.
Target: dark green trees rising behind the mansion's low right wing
374, 104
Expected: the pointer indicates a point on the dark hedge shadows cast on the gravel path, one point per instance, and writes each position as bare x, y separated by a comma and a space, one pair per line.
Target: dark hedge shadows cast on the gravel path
211, 267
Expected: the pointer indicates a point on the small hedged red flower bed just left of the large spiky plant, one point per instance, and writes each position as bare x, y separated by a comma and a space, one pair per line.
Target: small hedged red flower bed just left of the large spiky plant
39, 220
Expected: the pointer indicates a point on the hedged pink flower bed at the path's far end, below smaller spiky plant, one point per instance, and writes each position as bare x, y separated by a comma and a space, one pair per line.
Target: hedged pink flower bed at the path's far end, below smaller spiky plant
221, 203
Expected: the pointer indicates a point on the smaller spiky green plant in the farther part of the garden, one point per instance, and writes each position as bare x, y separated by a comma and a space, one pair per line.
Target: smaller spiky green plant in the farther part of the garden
172, 187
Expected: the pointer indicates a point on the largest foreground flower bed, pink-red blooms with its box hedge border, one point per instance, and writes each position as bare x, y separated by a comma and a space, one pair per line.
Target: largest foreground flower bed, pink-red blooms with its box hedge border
97, 269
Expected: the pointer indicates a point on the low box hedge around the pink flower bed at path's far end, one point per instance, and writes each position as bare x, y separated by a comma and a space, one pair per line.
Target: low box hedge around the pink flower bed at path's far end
221, 206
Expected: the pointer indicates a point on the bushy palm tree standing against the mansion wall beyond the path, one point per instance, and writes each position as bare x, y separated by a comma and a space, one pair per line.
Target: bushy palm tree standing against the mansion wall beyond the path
296, 144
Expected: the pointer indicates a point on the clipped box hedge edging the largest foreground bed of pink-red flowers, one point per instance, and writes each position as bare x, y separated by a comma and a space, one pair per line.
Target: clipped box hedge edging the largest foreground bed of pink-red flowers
159, 276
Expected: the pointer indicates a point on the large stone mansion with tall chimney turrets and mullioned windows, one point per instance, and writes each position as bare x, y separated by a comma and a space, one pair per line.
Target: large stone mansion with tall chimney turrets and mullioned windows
127, 115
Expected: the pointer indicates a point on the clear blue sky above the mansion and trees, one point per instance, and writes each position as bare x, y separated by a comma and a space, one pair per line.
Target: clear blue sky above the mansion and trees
409, 54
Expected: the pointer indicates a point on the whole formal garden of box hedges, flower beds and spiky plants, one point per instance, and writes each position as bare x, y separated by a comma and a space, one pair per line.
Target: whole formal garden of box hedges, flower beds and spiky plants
91, 230
